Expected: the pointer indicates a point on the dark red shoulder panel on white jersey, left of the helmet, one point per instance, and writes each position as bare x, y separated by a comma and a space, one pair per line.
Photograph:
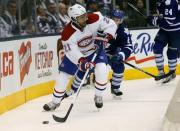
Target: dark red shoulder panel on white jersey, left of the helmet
67, 32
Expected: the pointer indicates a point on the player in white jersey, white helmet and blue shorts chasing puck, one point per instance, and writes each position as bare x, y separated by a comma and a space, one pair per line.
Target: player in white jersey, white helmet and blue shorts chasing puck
78, 39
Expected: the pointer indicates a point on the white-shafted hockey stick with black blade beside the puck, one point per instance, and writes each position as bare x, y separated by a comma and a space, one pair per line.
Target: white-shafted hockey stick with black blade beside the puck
63, 119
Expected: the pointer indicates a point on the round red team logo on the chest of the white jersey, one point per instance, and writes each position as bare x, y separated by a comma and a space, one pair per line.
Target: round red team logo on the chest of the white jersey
85, 41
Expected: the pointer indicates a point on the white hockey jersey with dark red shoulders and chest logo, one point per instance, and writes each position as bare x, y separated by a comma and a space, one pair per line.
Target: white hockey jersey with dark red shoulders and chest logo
77, 43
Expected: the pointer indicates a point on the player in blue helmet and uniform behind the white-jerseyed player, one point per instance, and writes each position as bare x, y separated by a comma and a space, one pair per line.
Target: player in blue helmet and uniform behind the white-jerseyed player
120, 49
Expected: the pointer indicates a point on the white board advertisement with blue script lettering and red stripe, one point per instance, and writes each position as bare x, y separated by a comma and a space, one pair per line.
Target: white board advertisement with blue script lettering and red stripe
143, 41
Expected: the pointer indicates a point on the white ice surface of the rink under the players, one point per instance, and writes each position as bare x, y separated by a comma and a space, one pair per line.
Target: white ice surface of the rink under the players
141, 108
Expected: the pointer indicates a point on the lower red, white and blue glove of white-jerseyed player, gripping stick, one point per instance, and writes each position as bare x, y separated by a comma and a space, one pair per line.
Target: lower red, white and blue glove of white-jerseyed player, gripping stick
84, 64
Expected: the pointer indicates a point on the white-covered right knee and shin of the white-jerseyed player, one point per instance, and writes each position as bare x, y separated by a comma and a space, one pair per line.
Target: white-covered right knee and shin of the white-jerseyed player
101, 75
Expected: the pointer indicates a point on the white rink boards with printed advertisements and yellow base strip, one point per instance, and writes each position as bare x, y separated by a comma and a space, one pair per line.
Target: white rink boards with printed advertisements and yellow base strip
28, 67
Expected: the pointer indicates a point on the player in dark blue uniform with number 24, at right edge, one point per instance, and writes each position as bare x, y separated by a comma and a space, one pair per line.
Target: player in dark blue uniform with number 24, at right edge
168, 20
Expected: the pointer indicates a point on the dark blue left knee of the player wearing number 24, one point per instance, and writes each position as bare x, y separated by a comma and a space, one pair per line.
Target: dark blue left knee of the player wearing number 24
158, 47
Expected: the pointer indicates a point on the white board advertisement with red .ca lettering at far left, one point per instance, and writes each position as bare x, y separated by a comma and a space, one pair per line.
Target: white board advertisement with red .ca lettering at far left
9, 82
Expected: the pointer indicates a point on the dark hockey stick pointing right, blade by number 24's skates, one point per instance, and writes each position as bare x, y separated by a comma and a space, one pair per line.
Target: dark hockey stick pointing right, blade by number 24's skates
157, 78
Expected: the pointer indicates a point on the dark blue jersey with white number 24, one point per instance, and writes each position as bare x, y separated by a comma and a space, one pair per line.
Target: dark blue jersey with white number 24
169, 15
